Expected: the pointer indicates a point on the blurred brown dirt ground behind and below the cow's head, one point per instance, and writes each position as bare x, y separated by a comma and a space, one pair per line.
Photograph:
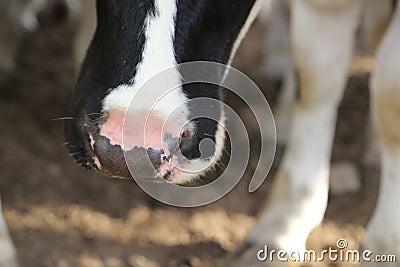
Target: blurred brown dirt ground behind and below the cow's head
61, 215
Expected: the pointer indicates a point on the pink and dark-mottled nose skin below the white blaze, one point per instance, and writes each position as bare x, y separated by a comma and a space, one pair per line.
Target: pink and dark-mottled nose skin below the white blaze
134, 133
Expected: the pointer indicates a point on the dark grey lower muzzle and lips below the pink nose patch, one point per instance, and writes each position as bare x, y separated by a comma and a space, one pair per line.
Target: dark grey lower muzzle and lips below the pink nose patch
97, 153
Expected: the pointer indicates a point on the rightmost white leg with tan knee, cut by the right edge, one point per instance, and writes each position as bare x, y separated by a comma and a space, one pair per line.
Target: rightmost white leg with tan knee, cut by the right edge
383, 231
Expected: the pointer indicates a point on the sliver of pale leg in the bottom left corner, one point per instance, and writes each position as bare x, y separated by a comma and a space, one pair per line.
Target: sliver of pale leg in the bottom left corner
8, 255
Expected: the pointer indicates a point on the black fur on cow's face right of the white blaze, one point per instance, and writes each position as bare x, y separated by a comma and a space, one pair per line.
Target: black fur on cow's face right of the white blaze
206, 30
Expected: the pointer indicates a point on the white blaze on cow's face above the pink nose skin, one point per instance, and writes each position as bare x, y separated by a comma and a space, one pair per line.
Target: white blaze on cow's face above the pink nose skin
158, 56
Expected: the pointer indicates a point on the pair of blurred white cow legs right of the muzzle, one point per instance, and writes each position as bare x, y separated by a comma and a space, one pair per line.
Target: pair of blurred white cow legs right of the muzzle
322, 35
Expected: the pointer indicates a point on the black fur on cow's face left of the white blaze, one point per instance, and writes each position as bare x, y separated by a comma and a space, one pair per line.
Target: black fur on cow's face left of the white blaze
111, 60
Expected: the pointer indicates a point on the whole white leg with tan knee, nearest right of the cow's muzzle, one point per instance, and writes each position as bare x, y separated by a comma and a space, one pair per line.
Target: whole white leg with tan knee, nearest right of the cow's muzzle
323, 36
